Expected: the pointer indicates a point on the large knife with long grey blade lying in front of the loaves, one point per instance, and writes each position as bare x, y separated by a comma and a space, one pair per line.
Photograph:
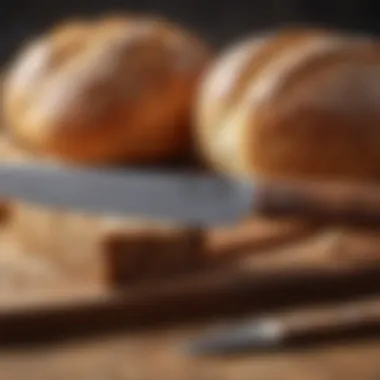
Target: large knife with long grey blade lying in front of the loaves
189, 198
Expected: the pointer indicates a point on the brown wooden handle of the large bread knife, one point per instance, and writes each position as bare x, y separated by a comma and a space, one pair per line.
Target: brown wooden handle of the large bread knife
337, 202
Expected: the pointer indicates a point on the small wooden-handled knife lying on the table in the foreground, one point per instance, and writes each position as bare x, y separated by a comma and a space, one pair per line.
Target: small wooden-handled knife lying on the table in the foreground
299, 326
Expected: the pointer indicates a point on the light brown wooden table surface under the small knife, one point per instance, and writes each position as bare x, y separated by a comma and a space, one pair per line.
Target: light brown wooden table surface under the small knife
157, 356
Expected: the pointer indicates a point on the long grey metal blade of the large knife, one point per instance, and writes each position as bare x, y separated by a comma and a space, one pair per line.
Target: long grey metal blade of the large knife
181, 197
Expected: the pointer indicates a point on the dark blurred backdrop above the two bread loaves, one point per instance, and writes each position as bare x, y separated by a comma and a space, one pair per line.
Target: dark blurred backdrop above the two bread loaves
218, 21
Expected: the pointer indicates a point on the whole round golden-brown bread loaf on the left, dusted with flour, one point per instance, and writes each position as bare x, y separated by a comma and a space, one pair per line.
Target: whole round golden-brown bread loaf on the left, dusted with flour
108, 90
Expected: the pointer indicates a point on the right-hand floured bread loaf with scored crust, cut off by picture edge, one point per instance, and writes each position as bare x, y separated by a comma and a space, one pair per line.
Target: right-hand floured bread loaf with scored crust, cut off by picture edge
294, 103
